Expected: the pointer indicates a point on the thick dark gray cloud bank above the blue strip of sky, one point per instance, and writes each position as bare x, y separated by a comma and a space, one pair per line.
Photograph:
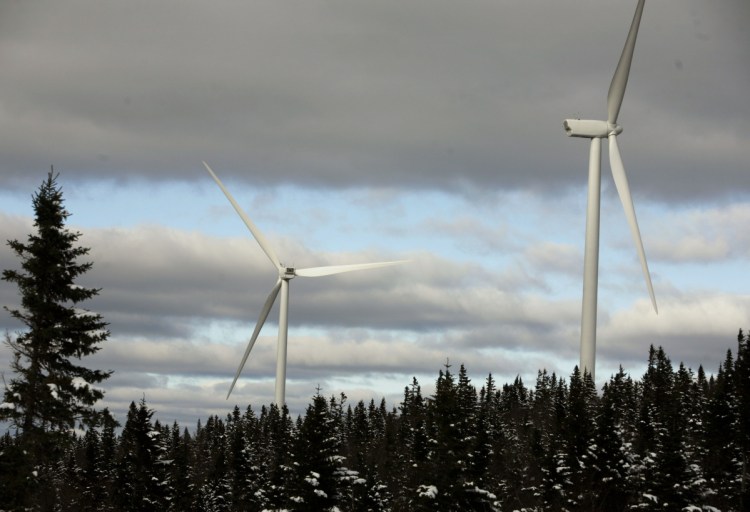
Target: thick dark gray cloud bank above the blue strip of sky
416, 94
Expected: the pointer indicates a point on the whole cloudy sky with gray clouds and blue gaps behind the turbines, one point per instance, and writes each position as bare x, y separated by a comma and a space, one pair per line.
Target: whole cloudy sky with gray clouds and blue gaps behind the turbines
353, 131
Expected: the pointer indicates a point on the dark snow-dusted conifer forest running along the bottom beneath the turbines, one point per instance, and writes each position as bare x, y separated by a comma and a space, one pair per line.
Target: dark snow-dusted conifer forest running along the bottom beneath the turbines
673, 440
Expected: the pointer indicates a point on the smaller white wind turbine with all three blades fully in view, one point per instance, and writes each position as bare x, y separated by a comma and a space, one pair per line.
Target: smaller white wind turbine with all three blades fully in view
286, 274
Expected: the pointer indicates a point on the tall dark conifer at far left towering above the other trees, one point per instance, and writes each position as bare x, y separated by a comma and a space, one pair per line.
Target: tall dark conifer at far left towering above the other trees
50, 392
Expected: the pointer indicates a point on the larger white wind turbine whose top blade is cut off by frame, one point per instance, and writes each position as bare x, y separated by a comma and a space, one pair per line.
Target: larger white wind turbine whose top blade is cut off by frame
596, 131
